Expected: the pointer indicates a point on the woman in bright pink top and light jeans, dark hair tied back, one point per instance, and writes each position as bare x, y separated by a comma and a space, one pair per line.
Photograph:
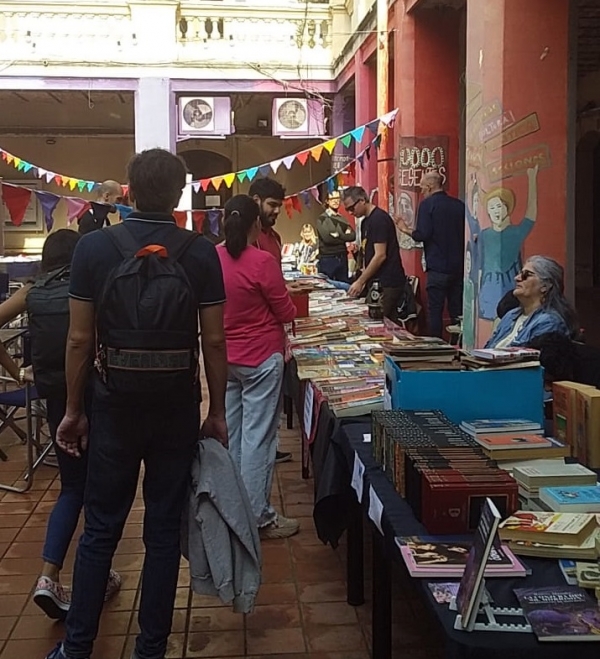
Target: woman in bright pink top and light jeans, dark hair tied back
258, 305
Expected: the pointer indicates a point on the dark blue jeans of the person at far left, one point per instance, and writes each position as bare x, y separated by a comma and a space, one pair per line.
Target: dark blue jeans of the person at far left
65, 514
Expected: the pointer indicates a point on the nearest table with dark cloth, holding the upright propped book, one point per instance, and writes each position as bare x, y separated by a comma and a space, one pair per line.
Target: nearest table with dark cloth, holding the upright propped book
398, 520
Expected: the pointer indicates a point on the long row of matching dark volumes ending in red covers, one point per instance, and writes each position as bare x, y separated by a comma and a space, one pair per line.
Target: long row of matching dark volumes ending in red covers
441, 471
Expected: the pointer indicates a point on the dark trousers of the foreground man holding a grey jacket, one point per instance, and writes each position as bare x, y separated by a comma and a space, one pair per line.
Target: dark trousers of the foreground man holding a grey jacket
121, 439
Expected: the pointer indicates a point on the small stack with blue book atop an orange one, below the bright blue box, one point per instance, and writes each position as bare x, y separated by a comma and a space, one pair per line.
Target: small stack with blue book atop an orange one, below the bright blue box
513, 439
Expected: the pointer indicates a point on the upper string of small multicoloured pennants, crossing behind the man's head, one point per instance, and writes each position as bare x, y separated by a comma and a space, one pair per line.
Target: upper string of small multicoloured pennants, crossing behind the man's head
266, 169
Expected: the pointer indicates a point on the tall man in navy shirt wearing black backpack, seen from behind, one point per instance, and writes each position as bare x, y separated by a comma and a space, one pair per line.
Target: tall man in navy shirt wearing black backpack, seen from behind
136, 291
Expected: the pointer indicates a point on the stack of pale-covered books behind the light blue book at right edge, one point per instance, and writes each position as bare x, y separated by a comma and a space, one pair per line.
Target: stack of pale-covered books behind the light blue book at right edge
541, 475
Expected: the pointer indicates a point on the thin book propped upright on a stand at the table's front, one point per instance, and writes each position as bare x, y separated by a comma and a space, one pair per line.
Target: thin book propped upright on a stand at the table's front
470, 590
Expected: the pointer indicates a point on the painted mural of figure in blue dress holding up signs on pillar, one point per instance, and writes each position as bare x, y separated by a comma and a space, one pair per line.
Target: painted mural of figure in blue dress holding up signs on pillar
504, 160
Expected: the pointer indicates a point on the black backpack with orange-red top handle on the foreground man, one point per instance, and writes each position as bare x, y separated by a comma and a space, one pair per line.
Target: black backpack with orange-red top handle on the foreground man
147, 320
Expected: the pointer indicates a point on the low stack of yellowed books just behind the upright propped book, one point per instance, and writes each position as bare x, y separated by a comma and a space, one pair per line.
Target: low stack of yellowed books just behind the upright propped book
551, 535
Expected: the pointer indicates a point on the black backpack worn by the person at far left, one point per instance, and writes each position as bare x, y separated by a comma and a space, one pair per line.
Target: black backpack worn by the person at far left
48, 312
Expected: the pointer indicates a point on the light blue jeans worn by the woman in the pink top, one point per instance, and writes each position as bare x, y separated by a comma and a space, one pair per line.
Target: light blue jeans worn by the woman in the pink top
253, 407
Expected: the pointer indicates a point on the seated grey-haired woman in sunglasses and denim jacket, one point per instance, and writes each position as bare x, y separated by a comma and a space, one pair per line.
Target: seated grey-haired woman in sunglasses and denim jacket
542, 308
